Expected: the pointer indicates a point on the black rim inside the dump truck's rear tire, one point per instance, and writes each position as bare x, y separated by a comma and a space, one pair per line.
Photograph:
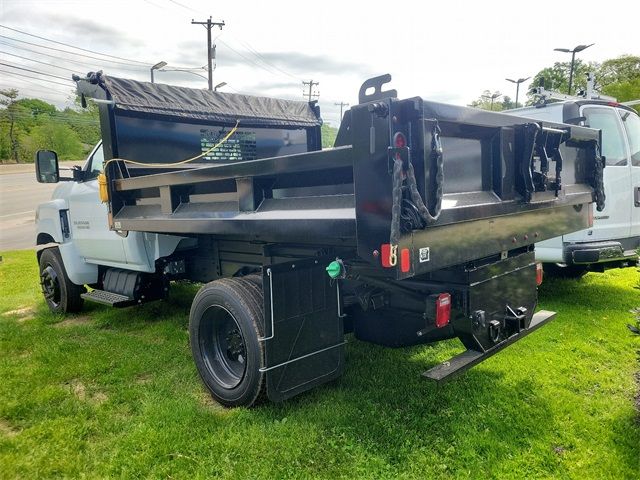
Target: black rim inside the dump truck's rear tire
223, 347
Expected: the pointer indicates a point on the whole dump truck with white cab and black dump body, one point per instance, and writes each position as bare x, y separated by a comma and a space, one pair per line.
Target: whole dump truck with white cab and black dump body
417, 226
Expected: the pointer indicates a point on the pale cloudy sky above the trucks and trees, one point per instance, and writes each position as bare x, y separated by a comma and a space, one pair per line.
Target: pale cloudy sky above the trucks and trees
446, 51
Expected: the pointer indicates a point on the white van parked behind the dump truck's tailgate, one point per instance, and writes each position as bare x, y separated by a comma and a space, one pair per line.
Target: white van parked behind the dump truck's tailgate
614, 239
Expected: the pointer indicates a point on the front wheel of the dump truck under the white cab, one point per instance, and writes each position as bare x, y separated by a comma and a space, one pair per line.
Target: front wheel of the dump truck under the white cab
60, 293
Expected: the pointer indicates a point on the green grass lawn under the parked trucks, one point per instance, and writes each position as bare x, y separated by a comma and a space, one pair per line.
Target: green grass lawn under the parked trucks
114, 393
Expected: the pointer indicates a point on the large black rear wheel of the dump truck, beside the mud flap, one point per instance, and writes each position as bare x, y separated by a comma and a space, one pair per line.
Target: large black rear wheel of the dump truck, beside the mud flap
225, 324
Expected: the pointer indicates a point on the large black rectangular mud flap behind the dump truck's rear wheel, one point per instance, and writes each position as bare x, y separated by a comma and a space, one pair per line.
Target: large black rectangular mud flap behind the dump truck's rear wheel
304, 336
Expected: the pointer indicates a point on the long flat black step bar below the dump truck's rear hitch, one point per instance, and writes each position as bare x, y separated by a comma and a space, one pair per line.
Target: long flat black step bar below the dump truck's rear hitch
465, 360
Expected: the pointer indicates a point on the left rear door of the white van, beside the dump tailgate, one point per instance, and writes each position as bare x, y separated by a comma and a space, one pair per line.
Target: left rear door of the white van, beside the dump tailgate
614, 221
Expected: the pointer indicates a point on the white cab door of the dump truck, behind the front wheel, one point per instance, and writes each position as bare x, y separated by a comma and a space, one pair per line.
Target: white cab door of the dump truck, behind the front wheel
88, 218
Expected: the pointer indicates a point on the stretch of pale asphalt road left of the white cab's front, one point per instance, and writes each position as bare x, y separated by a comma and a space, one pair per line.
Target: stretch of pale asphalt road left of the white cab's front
20, 194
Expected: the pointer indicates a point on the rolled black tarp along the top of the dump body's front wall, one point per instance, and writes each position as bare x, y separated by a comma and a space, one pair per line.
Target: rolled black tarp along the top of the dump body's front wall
182, 102
